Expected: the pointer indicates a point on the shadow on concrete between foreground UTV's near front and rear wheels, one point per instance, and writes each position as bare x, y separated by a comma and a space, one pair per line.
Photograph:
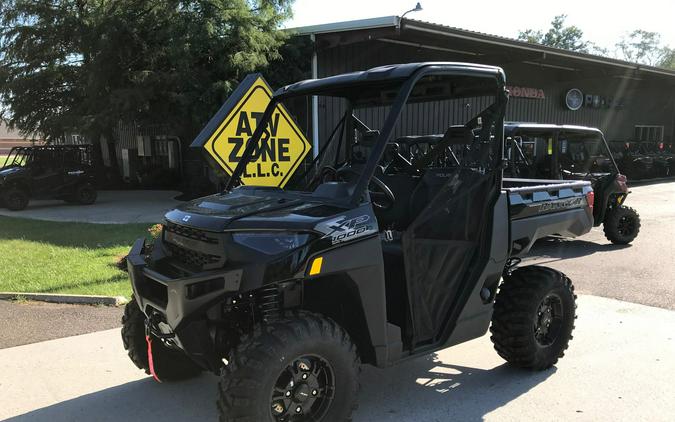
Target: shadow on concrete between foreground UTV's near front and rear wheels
430, 390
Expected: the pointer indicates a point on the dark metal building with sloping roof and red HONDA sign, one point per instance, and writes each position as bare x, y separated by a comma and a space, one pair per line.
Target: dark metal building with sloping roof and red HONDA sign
547, 85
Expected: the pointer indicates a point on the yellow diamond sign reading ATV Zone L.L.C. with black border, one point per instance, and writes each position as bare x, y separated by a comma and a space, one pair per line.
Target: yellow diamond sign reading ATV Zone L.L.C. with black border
282, 146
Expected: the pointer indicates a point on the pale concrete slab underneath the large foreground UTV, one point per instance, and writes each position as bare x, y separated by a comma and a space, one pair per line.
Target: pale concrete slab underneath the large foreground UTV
619, 367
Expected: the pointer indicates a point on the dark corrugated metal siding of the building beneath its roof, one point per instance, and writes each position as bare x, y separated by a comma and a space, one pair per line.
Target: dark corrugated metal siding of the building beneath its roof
644, 102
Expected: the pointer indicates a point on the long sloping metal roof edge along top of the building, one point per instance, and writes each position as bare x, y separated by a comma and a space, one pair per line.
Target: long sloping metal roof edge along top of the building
453, 32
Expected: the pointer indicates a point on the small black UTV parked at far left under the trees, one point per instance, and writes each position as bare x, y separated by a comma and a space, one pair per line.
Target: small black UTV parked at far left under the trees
47, 172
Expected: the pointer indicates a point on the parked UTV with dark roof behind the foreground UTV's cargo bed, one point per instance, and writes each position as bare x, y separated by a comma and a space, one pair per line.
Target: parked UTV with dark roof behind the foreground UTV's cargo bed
575, 153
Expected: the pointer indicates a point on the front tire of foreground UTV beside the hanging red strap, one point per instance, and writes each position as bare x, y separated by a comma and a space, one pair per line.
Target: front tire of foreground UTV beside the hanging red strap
169, 364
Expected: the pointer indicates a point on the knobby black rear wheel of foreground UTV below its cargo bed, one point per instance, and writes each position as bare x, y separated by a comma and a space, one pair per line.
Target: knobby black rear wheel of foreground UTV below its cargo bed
533, 317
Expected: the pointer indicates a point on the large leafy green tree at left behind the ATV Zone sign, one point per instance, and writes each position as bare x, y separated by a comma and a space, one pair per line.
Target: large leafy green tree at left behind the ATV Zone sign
87, 64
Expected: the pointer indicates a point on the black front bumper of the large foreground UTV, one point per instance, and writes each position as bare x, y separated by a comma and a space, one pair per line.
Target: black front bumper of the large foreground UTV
173, 304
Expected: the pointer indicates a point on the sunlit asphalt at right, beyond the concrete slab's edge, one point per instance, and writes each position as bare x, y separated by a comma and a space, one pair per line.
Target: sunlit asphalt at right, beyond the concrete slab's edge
643, 272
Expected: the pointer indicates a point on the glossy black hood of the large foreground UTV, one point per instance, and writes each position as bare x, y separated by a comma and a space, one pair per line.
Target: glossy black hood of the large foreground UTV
251, 210
